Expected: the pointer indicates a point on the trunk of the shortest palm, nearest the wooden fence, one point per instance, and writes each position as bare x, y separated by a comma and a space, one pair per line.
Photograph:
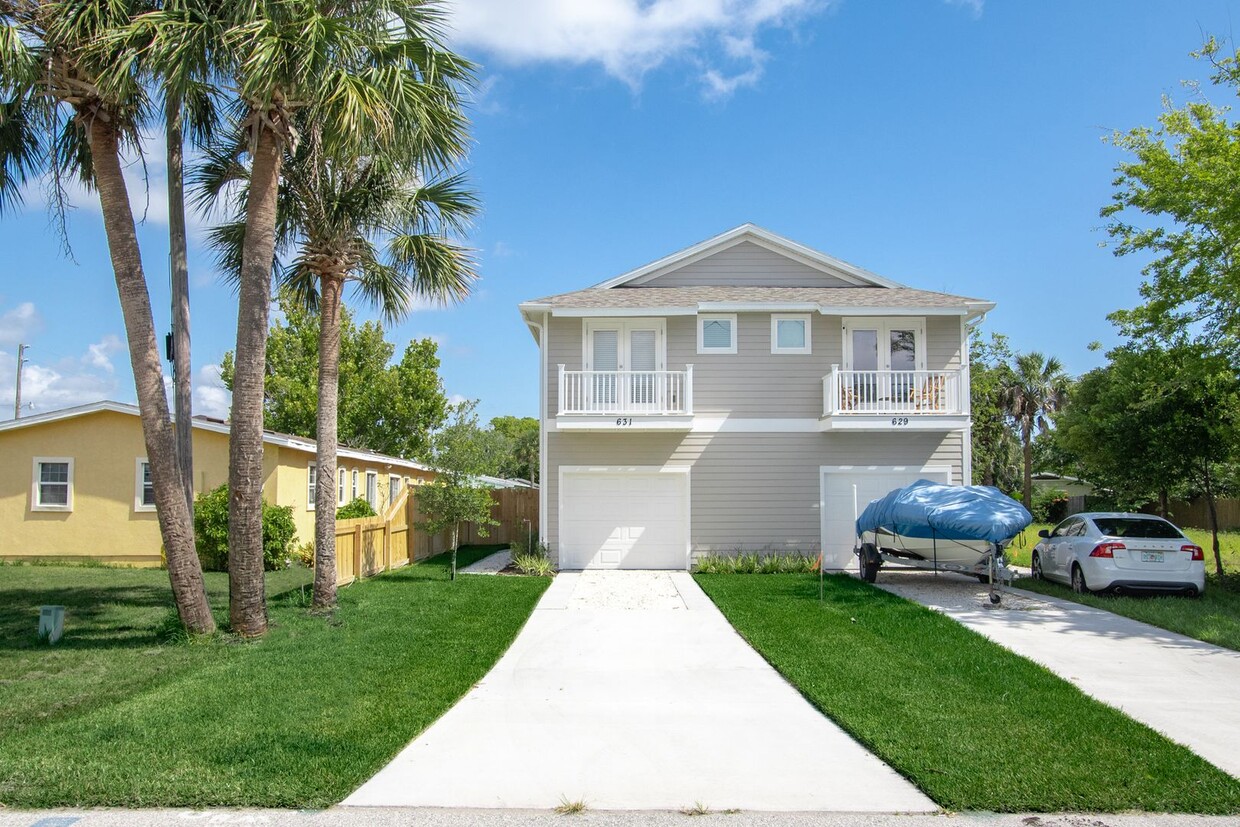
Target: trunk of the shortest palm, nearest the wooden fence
327, 432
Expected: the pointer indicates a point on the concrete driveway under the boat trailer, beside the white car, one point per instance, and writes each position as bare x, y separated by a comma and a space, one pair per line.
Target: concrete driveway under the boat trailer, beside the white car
1187, 690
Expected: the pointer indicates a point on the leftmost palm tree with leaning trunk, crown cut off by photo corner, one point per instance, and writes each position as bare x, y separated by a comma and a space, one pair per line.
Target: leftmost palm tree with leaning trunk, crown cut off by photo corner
73, 104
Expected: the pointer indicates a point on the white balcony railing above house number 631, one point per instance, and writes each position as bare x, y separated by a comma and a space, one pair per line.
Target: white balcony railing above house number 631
627, 392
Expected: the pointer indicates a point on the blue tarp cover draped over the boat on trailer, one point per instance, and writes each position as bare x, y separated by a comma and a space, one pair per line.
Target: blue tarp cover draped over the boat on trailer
932, 510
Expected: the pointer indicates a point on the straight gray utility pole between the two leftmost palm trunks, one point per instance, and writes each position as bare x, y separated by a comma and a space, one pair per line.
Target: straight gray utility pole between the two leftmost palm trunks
180, 275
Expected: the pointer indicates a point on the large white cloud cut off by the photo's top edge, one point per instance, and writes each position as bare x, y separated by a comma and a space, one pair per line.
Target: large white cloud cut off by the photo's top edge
631, 38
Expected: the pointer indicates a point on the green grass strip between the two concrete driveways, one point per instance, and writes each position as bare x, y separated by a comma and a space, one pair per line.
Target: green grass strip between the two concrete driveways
973, 725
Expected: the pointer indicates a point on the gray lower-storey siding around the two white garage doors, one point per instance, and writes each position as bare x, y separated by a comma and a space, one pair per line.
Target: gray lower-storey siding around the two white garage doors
750, 492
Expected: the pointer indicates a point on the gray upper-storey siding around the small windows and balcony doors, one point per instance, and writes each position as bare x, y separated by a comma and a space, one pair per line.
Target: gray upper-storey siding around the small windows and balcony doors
753, 383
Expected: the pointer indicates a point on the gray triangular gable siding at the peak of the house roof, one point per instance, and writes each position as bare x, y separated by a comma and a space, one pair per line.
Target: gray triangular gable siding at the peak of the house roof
747, 265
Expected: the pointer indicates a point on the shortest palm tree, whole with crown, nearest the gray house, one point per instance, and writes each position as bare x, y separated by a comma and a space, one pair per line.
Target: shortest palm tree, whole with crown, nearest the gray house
365, 220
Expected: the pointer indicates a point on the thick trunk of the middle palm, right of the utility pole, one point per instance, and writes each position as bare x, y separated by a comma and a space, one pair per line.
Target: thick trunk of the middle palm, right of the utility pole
247, 602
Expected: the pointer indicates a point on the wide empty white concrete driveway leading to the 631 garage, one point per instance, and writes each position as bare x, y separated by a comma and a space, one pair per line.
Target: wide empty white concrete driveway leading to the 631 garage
631, 691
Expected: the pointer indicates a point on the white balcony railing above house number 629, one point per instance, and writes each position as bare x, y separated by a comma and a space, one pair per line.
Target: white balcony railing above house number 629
892, 392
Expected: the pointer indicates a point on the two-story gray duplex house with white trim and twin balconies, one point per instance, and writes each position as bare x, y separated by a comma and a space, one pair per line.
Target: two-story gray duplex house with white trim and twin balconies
743, 394
